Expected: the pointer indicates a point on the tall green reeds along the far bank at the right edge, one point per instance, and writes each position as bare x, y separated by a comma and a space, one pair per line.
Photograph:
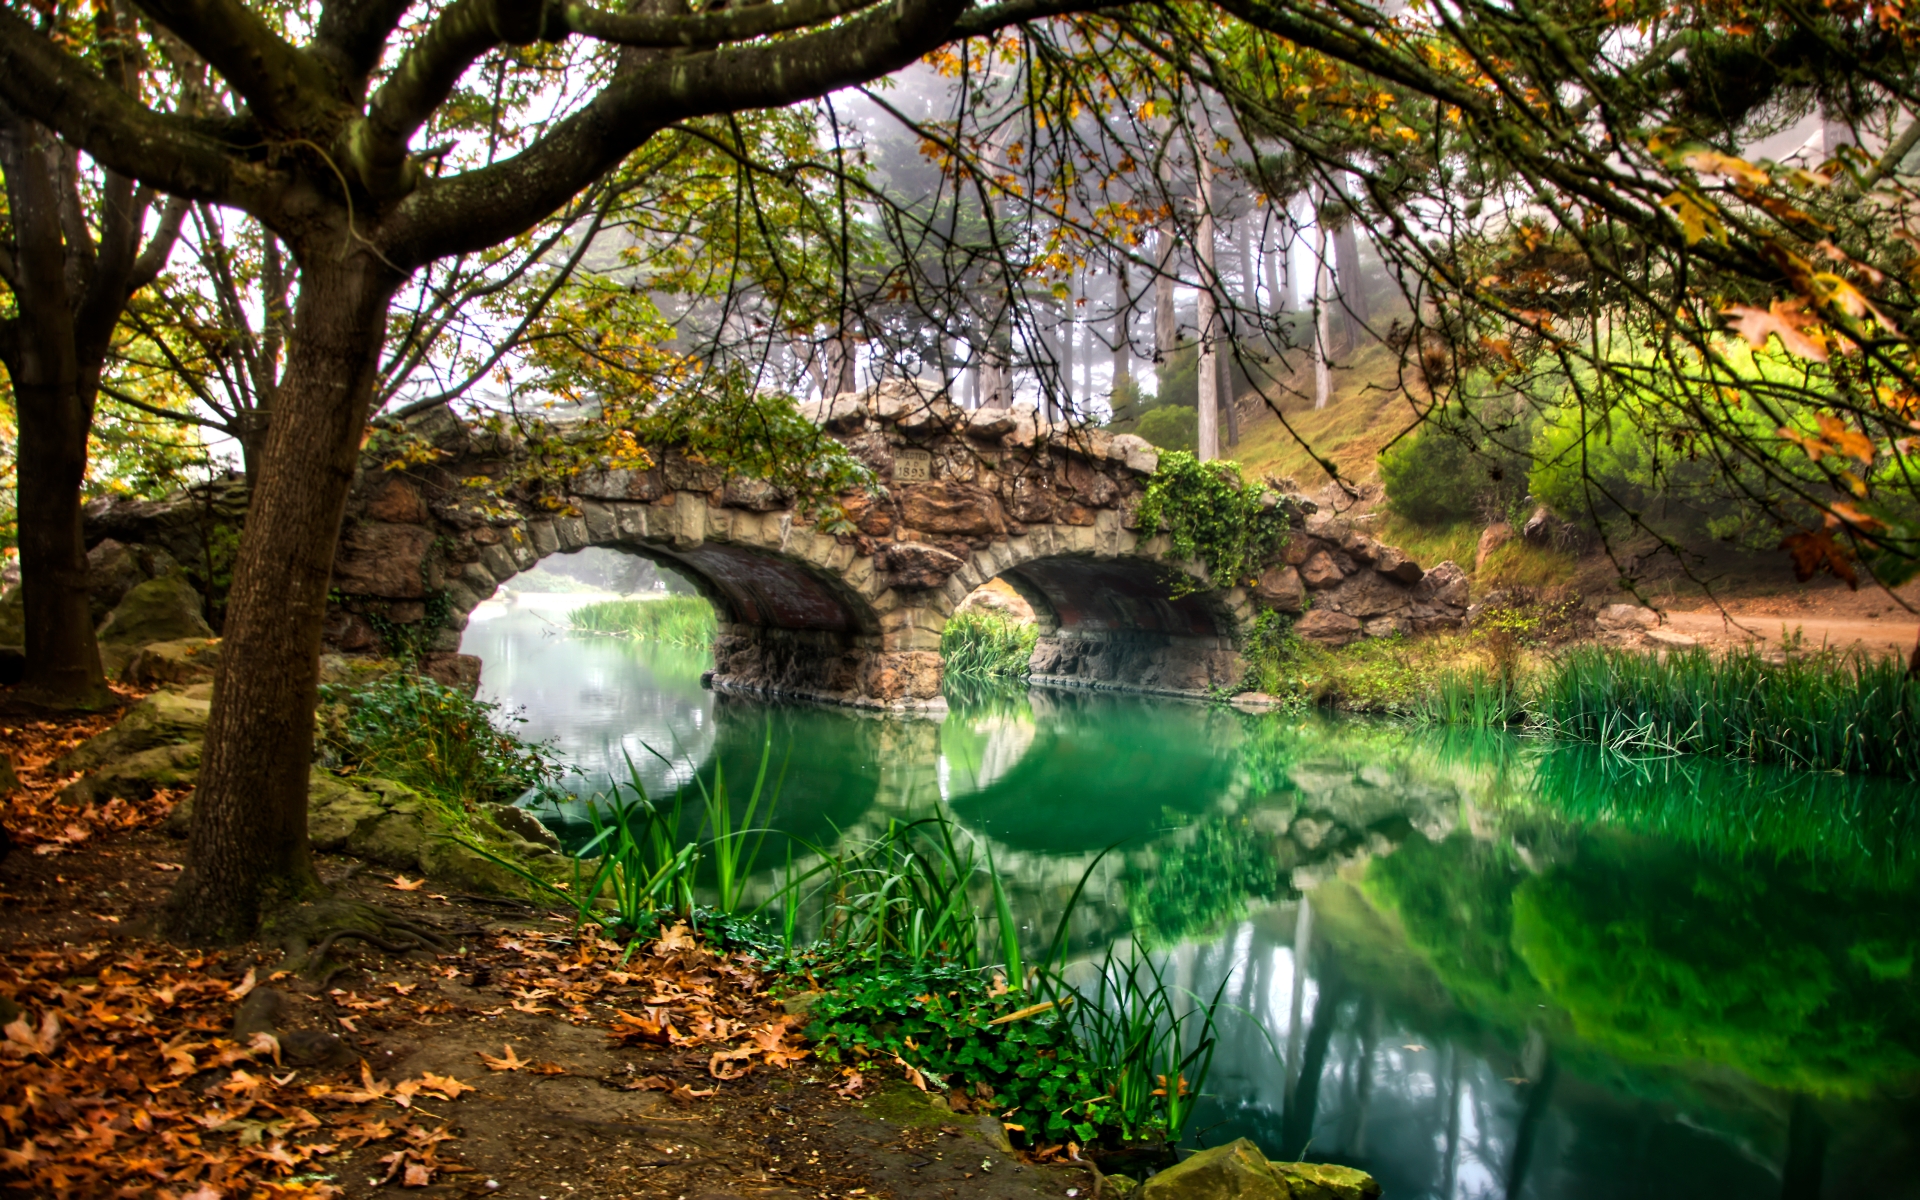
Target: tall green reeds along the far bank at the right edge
1827, 711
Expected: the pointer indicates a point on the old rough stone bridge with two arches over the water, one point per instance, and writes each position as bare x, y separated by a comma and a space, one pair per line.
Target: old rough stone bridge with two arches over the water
850, 617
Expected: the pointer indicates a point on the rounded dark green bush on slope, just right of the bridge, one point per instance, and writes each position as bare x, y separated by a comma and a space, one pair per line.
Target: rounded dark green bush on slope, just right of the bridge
1445, 473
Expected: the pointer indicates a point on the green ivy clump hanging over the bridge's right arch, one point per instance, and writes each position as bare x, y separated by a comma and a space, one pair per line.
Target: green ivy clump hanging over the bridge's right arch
1216, 516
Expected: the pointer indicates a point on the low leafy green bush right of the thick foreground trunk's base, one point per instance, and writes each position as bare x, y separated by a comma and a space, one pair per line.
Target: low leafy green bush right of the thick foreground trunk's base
437, 740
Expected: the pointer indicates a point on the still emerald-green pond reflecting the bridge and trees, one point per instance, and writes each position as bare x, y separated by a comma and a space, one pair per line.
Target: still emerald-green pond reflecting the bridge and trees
1470, 965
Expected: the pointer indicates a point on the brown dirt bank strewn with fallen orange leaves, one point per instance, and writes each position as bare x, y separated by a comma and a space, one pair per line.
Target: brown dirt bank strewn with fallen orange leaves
562, 1090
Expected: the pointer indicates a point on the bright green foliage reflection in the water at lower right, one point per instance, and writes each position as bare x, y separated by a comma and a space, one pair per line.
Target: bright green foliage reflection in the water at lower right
1666, 957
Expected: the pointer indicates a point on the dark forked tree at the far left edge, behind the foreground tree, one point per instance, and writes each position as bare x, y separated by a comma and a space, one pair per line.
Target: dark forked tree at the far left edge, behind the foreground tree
76, 243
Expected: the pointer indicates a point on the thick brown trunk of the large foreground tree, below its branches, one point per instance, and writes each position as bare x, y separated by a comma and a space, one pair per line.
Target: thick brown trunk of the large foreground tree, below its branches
251, 805
